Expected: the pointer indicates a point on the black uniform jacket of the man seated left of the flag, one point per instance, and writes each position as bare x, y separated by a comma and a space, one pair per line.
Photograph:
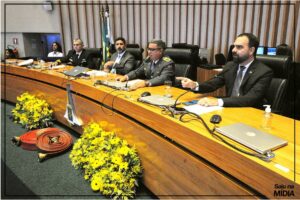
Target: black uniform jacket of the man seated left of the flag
85, 60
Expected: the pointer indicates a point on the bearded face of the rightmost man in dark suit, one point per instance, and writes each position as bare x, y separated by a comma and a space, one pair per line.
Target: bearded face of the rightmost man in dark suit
241, 52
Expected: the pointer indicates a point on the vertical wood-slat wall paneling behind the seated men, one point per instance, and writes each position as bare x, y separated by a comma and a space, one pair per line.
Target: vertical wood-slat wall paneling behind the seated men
209, 24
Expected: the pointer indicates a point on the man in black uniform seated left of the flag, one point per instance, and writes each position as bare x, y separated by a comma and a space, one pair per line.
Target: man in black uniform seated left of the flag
78, 56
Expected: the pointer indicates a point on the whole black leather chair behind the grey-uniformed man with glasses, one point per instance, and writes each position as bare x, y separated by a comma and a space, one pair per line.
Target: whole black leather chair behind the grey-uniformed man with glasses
183, 59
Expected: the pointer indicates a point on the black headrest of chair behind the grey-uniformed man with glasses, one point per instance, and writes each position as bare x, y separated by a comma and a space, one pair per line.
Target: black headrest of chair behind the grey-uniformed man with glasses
180, 56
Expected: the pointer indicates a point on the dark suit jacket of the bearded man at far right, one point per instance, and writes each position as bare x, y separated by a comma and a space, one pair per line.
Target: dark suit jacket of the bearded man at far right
253, 87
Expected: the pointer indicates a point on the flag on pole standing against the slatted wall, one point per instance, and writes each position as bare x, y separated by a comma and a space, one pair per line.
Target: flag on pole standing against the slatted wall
107, 38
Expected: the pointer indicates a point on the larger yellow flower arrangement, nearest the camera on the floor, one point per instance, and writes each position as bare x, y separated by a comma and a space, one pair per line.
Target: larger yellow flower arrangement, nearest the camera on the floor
112, 167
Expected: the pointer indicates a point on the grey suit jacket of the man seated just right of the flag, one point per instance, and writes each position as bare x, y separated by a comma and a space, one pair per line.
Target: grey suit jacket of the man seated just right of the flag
127, 63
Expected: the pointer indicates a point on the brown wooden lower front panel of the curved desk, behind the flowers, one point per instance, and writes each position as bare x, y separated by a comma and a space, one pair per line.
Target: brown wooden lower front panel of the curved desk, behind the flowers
164, 163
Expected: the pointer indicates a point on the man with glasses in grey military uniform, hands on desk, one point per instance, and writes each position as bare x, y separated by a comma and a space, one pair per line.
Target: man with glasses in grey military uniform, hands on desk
156, 68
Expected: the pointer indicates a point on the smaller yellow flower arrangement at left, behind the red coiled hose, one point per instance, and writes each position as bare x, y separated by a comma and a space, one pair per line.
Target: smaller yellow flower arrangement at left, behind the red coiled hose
32, 112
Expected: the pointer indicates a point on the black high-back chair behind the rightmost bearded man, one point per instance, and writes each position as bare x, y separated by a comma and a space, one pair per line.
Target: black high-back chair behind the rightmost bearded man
277, 91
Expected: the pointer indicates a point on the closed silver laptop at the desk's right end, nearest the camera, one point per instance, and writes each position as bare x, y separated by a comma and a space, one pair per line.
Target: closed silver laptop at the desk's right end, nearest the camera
252, 138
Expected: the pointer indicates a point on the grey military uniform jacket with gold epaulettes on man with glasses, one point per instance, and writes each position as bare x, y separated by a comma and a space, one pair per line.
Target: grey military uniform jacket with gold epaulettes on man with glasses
164, 70
